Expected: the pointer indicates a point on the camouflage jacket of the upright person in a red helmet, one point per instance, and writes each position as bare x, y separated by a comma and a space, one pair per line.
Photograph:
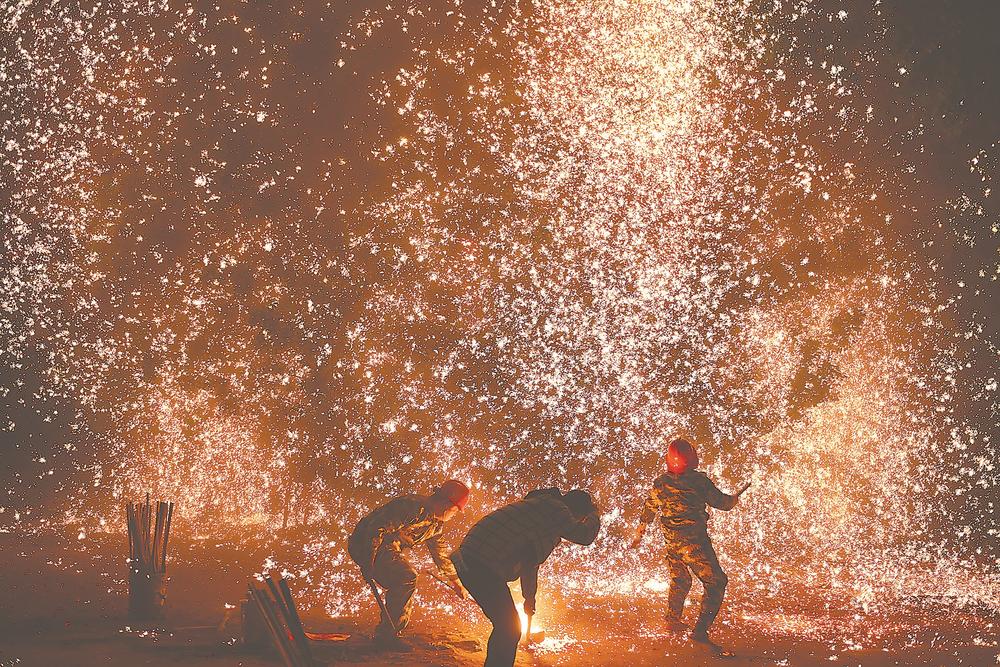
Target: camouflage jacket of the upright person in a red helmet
681, 501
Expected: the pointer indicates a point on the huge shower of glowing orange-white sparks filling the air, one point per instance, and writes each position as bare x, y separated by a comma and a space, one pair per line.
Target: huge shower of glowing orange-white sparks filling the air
254, 267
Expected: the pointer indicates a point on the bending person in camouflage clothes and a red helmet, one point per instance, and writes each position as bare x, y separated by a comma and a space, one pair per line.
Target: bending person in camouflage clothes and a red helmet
379, 540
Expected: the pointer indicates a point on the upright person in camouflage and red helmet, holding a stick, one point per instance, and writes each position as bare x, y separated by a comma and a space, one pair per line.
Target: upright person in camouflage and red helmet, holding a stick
679, 496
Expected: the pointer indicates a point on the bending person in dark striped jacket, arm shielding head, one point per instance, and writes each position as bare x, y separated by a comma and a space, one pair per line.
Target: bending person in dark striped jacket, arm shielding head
511, 543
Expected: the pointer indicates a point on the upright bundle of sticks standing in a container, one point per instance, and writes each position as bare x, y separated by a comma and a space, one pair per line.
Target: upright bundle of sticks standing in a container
147, 543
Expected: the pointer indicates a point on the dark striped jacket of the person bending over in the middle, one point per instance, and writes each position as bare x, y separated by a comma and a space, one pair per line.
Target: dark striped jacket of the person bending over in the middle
519, 537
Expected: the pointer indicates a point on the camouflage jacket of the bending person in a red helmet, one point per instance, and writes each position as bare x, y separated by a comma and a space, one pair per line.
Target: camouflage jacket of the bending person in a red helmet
402, 523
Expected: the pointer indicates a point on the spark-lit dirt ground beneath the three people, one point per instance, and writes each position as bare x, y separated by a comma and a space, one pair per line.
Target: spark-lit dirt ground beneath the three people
63, 603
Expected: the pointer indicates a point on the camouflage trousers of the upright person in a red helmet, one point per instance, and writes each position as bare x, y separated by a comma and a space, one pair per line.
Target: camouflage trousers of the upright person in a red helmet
691, 551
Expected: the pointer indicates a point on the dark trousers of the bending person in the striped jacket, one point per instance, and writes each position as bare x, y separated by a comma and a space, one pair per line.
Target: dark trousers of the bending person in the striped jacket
492, 595
